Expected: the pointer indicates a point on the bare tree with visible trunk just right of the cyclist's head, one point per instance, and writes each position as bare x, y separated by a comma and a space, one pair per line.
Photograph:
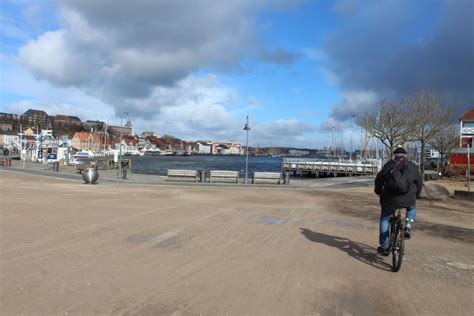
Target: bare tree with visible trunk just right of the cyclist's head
427, 118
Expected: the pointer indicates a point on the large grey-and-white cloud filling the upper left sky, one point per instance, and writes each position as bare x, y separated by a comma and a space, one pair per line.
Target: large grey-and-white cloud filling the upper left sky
160, 44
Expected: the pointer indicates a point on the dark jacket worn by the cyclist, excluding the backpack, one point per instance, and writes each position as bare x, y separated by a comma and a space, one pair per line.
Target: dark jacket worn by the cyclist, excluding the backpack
388, 200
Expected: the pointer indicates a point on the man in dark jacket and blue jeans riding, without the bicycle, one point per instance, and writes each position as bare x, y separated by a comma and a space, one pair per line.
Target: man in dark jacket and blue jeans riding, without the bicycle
398, 184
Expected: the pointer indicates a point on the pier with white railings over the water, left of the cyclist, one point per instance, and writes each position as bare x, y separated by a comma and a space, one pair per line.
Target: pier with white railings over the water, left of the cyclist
332, 168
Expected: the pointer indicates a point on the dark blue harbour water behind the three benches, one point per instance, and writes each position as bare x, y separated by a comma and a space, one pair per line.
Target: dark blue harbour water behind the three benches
160, 164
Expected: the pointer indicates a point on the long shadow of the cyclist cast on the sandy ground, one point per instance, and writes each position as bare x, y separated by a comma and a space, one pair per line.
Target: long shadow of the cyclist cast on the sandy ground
357, 250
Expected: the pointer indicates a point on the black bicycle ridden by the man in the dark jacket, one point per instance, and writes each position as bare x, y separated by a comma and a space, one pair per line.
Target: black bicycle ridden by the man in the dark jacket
397, 239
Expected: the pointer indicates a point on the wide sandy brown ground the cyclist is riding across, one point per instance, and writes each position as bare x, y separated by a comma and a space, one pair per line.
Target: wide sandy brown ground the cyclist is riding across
112, 248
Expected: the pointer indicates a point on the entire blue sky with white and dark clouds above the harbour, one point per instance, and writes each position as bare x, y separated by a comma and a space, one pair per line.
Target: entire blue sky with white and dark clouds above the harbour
195, 69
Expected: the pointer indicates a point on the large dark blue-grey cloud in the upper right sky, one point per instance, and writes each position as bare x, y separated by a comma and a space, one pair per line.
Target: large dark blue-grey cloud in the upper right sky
394, 48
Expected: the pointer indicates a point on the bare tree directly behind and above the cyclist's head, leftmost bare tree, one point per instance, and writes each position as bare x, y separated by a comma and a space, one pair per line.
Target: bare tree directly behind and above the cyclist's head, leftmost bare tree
388, 124
